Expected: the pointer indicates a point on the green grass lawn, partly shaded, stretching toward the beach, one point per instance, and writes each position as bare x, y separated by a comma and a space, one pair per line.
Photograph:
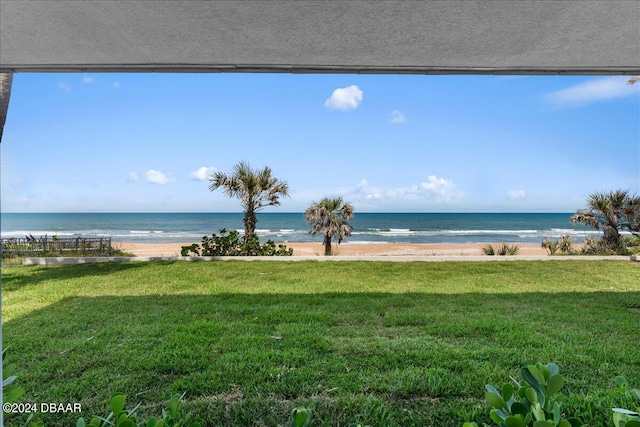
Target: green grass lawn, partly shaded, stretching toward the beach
385, 344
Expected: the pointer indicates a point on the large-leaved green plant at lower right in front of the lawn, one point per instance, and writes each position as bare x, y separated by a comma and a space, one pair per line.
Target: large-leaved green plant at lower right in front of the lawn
535, 401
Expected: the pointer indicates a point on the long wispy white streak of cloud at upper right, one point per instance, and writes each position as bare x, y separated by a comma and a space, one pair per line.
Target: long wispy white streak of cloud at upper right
602, 89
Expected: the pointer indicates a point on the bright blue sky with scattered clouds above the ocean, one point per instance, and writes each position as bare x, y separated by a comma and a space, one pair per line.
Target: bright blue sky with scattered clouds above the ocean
386, 143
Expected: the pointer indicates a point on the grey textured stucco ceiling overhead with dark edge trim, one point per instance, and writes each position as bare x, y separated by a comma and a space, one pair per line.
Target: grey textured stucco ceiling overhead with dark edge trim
531, 37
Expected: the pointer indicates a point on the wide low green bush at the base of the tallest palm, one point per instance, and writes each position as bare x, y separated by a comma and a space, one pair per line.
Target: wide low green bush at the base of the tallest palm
229, 243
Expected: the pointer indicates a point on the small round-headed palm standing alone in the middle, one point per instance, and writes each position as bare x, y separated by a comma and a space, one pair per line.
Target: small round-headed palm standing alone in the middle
330, 217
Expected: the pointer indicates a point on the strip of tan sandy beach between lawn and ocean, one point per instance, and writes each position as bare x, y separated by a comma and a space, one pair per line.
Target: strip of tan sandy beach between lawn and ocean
345, 249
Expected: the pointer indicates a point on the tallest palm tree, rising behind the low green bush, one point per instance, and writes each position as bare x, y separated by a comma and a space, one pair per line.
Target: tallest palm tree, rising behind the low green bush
256, 189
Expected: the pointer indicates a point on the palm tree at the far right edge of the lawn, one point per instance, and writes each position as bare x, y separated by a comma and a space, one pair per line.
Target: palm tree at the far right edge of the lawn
606, 211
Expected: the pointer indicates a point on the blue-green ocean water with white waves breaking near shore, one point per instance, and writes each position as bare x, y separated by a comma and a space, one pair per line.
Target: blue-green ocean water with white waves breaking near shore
291, 227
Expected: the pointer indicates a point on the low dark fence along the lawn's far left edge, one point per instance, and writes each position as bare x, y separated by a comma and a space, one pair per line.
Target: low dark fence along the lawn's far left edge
46, 246
